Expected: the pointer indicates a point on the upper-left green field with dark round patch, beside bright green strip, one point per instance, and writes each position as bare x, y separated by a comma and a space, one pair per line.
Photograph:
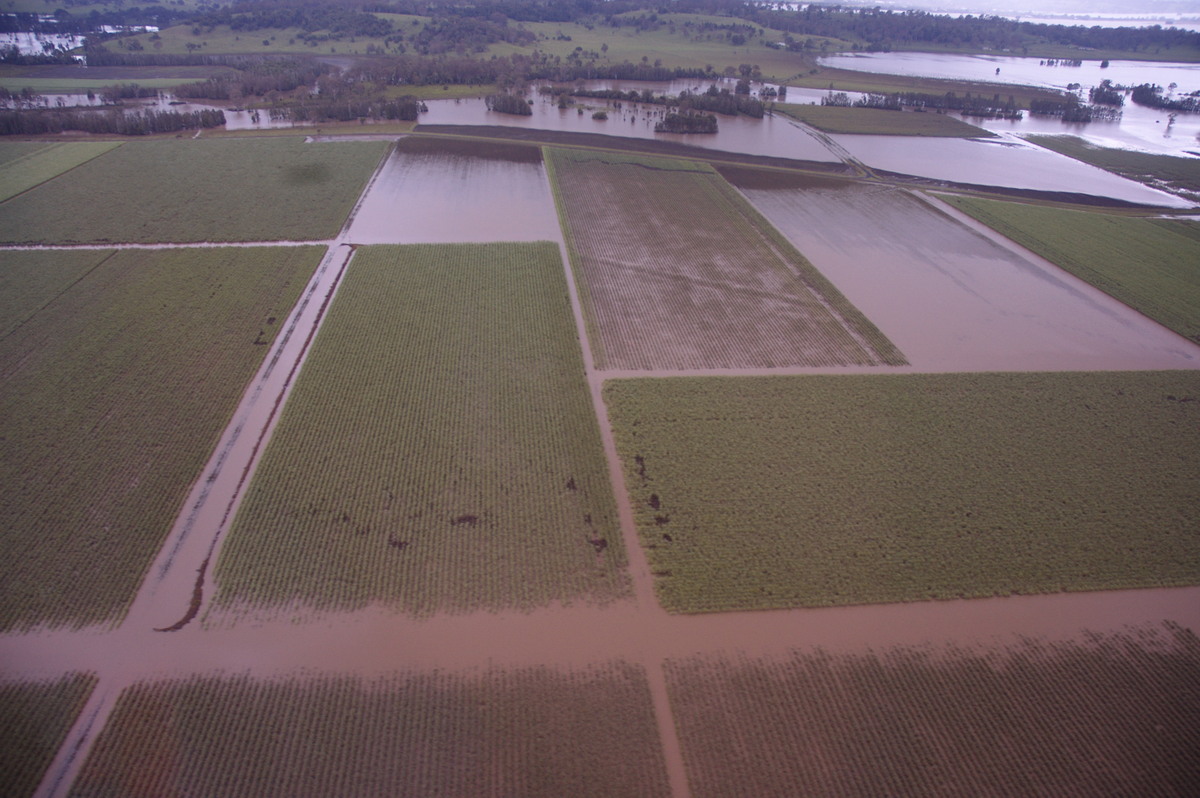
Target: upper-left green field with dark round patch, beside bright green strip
227, 190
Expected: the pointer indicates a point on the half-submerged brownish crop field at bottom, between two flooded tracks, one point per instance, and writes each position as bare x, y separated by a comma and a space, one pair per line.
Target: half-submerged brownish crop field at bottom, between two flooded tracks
524, 733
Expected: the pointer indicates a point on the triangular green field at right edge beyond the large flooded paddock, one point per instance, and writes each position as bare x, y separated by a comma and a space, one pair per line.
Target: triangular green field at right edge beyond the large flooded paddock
1153, 266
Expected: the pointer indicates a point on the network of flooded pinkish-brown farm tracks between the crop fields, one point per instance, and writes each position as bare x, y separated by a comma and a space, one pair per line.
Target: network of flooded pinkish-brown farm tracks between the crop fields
376, 643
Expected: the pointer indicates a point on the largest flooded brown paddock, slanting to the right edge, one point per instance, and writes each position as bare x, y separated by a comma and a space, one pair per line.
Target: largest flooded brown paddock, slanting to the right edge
952, 297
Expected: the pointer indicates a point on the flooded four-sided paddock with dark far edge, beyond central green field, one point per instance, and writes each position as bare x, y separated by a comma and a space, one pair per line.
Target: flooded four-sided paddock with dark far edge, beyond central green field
446, 191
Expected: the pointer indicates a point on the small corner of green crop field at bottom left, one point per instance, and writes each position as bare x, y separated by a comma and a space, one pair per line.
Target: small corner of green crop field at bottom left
35, 718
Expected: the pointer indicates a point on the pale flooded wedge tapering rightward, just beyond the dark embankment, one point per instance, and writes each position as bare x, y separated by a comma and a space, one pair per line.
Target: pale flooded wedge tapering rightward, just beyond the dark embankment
1006, 161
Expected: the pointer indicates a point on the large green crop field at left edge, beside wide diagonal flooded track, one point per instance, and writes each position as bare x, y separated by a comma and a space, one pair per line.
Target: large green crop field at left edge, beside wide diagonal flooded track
116, 381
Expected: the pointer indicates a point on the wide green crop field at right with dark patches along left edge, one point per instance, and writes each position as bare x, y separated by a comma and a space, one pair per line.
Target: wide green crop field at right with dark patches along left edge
809, 491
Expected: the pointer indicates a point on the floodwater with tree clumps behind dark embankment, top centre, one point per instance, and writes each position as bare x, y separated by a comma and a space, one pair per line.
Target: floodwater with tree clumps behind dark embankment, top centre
772, 136
